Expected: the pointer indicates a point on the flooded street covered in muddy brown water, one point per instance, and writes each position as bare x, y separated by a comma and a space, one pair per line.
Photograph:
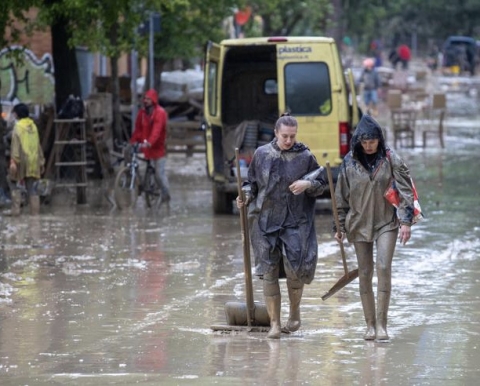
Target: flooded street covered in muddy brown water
95, 296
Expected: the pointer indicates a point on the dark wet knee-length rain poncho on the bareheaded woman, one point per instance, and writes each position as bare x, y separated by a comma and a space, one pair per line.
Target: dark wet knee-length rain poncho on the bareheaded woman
279, 219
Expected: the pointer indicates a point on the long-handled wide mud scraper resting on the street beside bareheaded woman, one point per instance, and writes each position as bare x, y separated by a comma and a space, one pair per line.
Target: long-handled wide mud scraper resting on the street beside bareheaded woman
250, 315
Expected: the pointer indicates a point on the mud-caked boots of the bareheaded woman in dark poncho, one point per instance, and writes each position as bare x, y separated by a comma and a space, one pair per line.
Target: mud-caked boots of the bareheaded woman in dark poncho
271, 291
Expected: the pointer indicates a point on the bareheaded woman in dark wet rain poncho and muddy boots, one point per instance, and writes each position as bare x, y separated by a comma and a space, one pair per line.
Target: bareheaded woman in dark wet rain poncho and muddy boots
284, 179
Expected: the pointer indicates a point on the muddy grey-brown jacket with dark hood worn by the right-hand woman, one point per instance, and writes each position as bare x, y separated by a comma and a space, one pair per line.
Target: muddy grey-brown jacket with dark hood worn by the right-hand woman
364, 213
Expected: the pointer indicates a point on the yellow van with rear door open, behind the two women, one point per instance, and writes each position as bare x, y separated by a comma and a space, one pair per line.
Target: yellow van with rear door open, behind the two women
250, 82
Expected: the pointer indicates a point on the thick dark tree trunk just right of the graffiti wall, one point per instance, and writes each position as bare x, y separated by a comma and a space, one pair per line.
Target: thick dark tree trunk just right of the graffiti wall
67, 79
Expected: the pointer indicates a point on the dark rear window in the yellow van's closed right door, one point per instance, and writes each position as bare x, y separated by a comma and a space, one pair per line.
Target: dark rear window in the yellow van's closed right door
307, 88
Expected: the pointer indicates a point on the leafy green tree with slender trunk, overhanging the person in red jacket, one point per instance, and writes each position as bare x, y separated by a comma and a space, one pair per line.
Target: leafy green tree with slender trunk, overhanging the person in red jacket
111, 28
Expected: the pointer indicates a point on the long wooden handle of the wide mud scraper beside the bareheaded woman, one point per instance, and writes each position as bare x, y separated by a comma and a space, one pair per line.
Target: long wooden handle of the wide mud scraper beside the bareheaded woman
246, 246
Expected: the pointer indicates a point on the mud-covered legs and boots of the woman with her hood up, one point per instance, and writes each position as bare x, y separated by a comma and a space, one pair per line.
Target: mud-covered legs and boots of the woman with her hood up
385, 247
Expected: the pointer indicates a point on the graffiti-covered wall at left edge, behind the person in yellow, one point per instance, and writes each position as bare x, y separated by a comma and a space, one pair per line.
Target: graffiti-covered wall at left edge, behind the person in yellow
29, 80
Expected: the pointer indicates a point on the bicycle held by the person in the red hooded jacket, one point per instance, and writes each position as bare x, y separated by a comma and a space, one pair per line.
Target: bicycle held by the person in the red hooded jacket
129, 184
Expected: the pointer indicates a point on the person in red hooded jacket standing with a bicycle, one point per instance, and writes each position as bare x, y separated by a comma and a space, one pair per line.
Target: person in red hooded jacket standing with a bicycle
151, 132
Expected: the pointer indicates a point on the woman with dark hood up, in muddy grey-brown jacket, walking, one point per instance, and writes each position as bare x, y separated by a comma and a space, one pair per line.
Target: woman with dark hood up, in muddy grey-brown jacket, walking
369, 220
